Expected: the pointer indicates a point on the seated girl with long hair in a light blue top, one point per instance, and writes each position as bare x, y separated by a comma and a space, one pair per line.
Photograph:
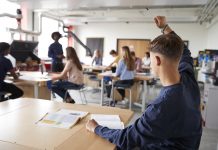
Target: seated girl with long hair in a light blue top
125, 70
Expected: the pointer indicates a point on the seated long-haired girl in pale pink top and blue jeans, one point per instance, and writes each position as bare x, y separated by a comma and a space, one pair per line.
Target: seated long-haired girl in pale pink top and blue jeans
72, 71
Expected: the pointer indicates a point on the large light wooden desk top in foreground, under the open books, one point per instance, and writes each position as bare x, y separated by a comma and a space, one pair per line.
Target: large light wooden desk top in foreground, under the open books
18, 126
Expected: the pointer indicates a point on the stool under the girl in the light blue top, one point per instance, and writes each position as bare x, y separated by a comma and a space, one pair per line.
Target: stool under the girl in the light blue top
124, 86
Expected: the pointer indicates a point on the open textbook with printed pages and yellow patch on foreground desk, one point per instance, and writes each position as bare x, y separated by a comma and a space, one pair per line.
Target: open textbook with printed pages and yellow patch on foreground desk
63, 118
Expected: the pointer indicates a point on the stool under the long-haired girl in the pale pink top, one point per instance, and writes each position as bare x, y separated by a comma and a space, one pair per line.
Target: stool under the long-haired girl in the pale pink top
80, 89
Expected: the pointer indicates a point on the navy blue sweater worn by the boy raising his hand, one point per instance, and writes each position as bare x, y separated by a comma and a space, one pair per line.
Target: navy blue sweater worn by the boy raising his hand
171, 122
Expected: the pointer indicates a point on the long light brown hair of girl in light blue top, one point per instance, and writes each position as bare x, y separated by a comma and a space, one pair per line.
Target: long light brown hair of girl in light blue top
128, 60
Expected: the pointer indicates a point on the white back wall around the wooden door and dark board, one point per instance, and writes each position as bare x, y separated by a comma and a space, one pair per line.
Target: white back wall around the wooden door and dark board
195, 33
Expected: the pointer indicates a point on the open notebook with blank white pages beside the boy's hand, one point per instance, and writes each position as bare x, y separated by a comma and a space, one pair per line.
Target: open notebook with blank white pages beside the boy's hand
110, 121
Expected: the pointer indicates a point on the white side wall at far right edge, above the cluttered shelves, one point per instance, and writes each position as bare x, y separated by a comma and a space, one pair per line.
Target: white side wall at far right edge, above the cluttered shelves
212, 36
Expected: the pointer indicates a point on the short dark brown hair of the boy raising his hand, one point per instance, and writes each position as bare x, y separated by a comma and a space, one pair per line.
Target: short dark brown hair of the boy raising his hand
168, 45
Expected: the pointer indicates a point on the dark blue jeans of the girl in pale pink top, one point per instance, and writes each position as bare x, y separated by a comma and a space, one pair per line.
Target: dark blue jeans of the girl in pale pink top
60, 87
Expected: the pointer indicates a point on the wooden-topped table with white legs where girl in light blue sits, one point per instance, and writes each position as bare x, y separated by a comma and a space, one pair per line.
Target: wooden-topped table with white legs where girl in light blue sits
138, 77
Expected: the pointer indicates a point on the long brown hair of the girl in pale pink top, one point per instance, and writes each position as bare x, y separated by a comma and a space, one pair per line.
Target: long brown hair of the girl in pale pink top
71, 55
